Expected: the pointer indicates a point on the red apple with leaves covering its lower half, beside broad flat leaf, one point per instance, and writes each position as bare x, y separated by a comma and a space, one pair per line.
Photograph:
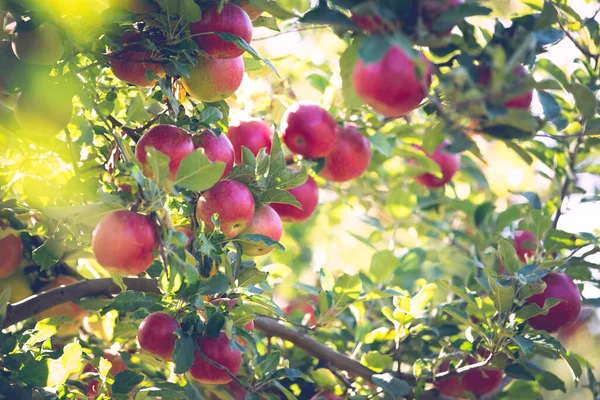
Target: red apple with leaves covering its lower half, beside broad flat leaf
170, 140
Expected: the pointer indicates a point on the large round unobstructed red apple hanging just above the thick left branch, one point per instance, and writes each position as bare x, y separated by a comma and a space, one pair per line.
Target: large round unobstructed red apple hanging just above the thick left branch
124, 241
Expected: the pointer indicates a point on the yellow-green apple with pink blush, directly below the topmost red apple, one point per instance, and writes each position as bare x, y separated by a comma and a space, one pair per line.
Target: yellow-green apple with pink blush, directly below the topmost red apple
215, 79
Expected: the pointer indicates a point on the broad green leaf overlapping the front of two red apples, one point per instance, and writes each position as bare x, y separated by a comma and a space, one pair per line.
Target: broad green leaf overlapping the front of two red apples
196, 172
